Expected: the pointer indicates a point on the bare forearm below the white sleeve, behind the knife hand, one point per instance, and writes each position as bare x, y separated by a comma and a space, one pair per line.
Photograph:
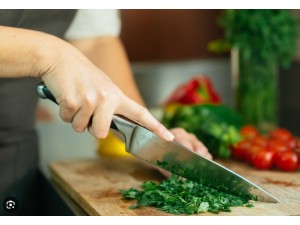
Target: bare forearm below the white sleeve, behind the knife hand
108, 54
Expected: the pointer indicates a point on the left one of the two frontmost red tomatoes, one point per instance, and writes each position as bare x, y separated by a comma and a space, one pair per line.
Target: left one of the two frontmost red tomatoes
263, 159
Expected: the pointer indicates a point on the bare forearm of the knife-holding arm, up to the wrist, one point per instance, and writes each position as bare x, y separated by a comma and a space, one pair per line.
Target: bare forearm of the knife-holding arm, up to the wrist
23, 52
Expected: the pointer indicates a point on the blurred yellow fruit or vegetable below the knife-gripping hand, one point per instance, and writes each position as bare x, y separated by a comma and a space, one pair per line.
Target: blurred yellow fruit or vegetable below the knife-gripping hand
112, 147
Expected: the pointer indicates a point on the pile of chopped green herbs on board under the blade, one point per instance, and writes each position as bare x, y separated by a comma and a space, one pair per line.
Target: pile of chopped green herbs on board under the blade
179, 196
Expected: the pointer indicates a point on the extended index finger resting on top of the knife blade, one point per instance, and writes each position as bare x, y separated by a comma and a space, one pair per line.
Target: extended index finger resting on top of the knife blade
142, 116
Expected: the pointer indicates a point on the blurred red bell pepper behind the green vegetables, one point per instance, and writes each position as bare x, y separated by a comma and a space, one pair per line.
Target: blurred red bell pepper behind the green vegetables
198, 90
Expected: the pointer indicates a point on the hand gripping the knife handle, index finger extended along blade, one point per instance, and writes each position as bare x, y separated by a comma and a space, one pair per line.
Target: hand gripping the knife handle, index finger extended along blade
82, 90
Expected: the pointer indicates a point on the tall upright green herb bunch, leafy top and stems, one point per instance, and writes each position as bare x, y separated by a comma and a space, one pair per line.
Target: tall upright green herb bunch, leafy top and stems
261, 41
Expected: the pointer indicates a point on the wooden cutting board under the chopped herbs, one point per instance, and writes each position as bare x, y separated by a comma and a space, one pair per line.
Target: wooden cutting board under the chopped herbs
94, 184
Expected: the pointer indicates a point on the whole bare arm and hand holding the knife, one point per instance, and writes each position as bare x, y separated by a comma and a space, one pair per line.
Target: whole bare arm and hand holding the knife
80, 88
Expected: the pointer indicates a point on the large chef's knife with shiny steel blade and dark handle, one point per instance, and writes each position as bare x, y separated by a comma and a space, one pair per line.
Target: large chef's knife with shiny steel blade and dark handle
176, 158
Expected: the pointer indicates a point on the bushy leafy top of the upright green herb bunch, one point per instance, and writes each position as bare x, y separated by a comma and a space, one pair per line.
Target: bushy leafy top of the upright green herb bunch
269, 35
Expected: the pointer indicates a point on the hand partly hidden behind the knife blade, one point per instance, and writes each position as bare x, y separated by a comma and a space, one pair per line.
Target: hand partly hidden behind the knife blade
190, 141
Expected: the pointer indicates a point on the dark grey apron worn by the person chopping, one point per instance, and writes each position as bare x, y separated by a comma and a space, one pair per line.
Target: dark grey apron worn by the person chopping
18, 100
